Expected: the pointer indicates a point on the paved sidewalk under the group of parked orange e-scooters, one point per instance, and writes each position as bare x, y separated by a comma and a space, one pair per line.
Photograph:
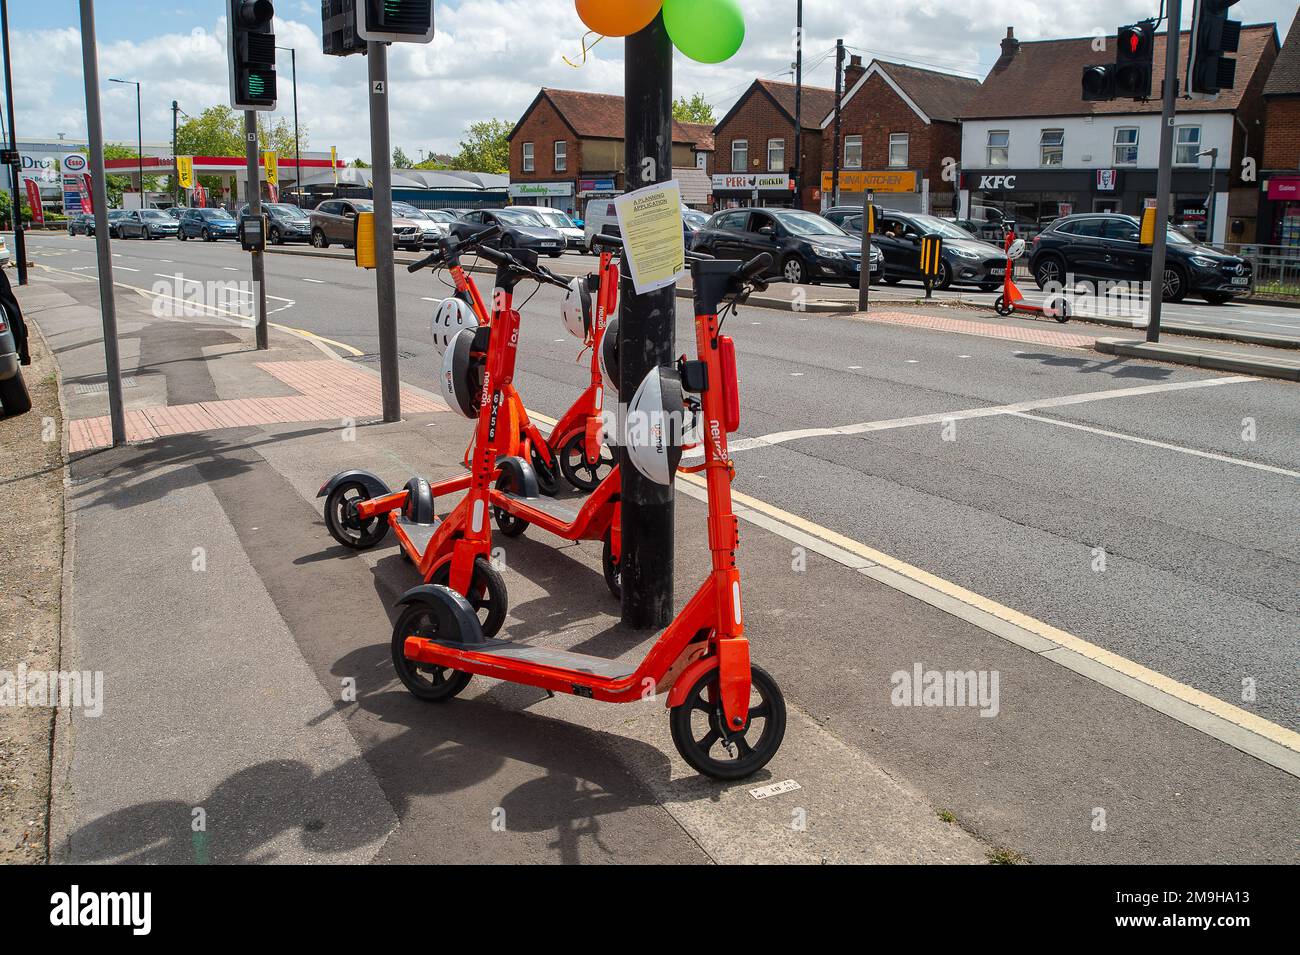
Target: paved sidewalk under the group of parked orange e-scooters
248, 675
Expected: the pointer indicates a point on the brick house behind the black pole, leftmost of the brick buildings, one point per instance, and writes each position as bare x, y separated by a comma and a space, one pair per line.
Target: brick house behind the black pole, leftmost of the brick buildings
567, 150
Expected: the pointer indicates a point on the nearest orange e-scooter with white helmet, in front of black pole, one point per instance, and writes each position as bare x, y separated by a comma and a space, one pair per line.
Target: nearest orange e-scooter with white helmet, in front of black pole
727, 717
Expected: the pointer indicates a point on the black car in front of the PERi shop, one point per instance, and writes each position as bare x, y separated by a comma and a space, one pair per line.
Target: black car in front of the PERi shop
805, 248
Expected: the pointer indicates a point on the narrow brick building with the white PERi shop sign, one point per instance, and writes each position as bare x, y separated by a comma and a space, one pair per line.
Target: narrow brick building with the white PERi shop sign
756, 146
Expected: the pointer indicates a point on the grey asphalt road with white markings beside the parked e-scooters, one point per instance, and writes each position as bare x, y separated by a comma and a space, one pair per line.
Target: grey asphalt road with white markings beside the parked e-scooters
1151, 515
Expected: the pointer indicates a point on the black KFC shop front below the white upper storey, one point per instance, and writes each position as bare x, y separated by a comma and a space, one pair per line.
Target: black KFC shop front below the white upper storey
1035, 198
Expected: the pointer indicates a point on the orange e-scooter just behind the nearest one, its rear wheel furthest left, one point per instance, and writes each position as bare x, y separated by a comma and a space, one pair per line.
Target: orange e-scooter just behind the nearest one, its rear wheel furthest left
478, 372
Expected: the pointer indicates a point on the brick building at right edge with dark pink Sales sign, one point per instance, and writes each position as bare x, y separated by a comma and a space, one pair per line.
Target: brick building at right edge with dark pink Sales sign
1280, 167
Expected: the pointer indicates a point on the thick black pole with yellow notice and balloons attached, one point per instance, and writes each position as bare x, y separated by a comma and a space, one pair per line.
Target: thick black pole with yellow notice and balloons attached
647, 333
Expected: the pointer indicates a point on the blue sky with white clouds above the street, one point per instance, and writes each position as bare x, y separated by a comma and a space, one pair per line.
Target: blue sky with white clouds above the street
483, 63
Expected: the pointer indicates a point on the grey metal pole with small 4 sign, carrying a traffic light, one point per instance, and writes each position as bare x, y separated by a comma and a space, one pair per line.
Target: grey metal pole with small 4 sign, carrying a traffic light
385, 289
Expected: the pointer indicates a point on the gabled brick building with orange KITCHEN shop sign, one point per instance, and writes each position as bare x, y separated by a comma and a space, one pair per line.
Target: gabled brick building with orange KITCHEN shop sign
899, 124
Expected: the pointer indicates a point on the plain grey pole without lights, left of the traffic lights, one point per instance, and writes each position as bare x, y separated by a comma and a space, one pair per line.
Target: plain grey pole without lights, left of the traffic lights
103, 253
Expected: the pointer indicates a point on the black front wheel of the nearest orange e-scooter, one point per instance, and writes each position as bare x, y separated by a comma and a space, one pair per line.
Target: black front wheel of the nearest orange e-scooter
705, 743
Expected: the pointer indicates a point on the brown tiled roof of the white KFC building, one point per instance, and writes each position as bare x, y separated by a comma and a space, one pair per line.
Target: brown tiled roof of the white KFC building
1045, 80
